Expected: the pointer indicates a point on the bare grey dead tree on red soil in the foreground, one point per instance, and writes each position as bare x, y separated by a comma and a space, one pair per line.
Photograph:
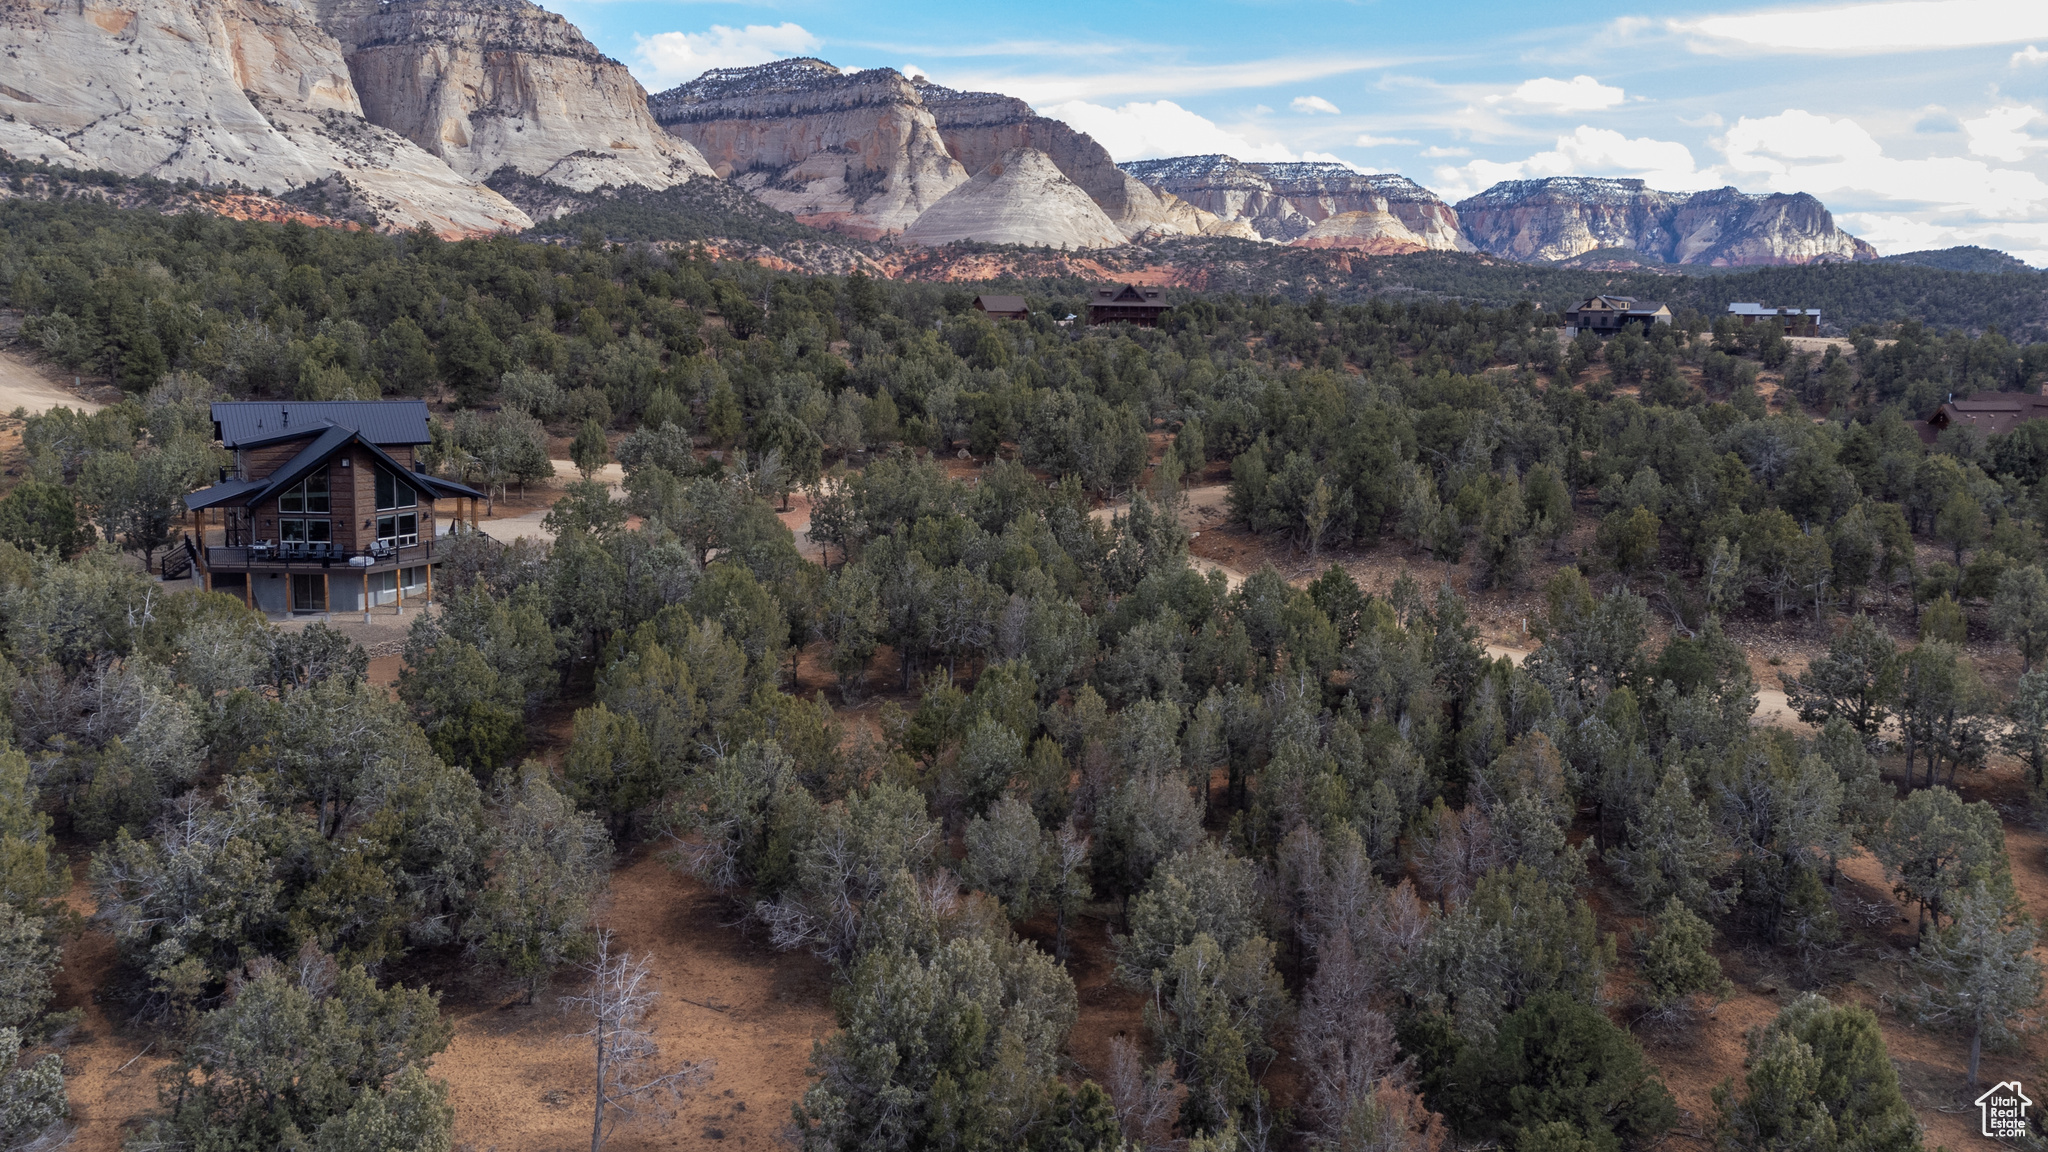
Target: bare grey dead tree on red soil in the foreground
630, 1061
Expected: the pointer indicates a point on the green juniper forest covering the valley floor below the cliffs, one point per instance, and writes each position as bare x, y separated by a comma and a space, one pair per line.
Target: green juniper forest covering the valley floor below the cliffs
1297, 821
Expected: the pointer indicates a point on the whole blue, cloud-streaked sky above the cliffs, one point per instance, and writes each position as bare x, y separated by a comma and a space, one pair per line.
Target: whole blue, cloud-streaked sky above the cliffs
1922, 124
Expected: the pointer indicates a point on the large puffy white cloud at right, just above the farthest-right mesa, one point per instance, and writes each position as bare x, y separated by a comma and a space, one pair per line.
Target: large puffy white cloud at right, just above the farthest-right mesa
1805, 153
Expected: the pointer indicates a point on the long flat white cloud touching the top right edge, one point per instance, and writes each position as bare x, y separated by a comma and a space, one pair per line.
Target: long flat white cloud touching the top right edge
1852, 30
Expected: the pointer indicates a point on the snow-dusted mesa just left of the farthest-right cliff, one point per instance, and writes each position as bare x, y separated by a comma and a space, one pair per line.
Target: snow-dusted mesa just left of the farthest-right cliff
1285, 202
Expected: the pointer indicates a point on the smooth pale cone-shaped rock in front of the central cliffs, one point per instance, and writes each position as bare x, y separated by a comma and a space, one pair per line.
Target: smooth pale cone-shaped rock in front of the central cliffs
1021, 198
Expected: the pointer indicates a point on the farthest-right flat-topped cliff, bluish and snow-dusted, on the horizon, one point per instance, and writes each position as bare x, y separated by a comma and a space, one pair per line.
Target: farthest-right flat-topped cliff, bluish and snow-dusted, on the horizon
1566, 216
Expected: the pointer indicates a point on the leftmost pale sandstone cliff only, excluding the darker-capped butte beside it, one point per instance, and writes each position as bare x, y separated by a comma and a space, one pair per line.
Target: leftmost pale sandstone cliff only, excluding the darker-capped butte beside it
216, 91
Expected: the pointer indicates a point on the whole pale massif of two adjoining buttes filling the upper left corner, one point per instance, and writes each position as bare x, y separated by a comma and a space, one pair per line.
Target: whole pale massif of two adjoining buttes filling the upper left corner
388, 110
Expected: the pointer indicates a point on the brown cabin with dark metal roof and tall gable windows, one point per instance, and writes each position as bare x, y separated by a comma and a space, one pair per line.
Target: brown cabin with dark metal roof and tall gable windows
325, 509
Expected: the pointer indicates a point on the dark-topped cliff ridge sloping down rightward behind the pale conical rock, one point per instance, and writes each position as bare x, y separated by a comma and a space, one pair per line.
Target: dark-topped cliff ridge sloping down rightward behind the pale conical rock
984, 126
